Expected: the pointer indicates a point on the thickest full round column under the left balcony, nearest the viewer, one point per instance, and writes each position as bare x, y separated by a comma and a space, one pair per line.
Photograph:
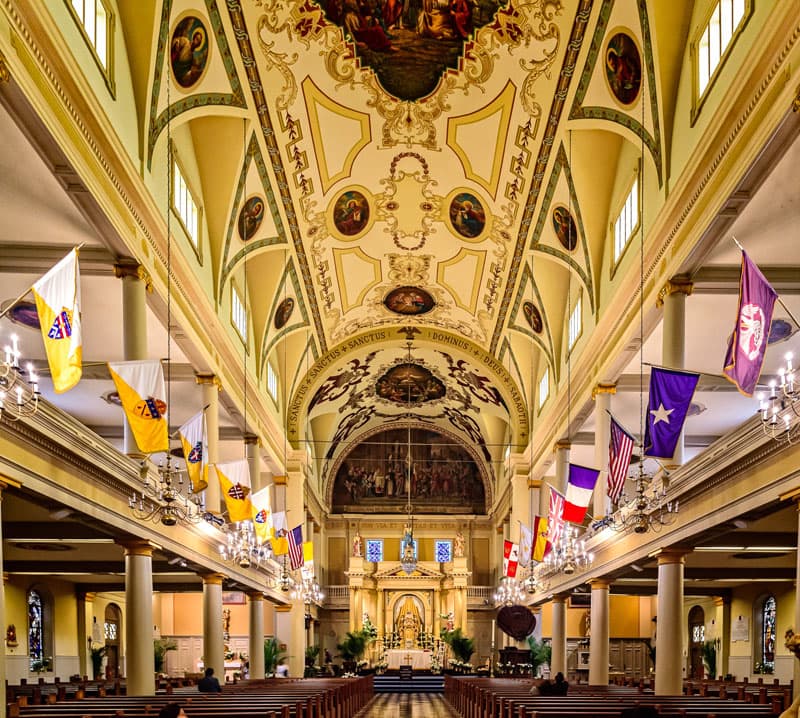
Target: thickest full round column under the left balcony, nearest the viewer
139, 620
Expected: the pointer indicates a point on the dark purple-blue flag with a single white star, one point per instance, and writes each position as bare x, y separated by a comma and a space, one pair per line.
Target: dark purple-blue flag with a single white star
670, 396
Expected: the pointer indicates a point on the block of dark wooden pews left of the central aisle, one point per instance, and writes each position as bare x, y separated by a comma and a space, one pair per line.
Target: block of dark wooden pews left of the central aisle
269, 698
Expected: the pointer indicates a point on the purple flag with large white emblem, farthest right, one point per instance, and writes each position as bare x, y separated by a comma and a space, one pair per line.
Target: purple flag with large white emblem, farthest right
748, 342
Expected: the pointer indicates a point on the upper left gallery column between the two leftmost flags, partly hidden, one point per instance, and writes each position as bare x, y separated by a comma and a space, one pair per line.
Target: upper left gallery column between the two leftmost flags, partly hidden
136, 282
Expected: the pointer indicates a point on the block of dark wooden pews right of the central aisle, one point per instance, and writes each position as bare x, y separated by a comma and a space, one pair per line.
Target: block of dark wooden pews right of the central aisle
511, 698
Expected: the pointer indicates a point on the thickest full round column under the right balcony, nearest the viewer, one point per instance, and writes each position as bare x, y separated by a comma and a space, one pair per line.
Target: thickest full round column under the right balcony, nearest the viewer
670, 624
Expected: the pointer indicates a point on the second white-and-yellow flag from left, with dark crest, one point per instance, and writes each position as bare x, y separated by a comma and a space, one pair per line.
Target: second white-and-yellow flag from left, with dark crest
141, 389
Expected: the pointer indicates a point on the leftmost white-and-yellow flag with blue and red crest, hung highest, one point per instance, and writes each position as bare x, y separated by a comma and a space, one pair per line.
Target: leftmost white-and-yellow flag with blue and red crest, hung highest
58, 298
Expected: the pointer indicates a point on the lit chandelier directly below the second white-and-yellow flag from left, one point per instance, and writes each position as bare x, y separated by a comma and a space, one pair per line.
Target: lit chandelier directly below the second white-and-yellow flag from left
164, 501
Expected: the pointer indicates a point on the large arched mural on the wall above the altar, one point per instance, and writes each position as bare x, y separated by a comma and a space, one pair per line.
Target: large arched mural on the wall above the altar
373, 477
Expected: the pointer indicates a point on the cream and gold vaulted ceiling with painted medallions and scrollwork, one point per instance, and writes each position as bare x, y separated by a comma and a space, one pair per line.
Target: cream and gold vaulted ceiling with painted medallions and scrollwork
416, 171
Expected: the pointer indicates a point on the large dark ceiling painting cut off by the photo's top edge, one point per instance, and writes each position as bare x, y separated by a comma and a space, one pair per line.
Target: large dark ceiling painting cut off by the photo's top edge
409, 43
